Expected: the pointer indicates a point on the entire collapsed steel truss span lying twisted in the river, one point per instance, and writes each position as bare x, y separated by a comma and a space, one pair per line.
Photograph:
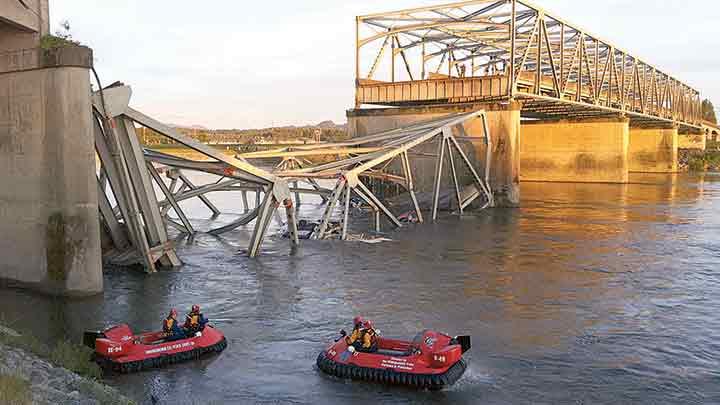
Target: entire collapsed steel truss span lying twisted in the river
130, 176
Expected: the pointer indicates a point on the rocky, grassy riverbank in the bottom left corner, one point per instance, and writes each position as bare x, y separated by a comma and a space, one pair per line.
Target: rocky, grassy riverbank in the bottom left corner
31, 373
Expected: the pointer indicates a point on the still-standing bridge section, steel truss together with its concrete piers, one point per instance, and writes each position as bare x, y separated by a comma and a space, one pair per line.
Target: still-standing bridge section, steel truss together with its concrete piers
564, 104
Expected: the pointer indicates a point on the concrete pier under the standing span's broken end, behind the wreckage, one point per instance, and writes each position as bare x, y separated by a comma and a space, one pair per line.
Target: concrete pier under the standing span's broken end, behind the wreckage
504, 125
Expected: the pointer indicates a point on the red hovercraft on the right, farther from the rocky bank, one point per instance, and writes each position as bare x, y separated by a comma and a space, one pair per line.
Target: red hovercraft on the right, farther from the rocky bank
430, 361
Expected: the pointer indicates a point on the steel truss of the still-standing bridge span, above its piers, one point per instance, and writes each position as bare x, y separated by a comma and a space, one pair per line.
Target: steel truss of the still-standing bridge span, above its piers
486, 50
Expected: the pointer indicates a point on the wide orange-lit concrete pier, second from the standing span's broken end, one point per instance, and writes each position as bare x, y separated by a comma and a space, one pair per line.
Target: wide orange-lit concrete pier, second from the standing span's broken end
582, 151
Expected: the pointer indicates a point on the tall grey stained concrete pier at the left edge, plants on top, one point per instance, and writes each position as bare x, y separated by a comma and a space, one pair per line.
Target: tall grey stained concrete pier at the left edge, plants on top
48, 190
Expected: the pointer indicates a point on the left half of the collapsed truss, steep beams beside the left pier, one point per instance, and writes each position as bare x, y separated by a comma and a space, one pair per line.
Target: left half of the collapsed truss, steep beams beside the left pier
132, 170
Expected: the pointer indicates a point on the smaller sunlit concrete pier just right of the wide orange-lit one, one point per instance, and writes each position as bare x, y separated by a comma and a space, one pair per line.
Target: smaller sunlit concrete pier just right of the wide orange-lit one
653, 150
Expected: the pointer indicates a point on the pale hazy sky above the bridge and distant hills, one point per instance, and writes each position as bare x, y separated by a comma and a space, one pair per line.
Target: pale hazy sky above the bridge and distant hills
251, 63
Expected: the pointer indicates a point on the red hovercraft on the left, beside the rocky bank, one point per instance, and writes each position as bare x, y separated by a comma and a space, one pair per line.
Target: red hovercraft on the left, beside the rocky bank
118, 349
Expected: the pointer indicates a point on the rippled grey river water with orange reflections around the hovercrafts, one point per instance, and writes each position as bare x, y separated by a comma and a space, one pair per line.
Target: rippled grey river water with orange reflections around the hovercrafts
588, 294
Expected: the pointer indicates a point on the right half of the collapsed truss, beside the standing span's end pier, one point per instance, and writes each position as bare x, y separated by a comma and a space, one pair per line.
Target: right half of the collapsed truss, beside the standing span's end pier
372, 156
